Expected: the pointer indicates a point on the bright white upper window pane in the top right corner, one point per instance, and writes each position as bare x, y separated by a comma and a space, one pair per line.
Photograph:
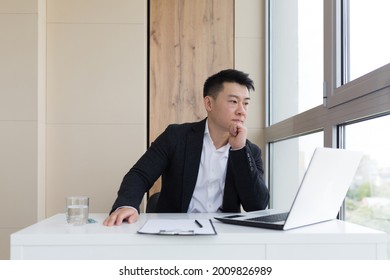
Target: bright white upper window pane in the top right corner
369, 42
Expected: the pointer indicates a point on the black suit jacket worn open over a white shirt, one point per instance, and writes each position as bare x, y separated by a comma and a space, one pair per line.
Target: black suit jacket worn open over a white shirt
175, 155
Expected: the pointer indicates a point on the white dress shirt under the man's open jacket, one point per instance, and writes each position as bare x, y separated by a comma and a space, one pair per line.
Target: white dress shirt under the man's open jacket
210, 184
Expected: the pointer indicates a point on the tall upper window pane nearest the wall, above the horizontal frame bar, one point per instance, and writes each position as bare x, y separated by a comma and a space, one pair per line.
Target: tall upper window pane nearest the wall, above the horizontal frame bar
296, 57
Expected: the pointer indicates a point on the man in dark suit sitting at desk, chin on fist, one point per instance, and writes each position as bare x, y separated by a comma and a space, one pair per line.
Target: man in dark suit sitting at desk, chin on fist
206, 166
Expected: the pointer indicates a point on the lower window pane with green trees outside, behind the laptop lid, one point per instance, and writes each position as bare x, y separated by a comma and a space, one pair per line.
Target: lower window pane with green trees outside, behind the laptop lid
368, 199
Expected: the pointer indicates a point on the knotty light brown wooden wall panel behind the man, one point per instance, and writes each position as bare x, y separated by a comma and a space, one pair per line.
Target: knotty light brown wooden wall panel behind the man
189, 41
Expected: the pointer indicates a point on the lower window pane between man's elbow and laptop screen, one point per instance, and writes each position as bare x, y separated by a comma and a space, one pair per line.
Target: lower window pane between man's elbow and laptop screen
289, 161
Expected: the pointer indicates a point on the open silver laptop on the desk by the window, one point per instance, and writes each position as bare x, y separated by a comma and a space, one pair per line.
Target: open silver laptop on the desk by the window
320, 195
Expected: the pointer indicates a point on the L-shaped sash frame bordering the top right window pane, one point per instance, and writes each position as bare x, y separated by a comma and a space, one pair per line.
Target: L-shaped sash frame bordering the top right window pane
337, 89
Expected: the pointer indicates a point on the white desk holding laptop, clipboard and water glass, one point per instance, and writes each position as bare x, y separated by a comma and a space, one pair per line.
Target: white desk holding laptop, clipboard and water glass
54, 239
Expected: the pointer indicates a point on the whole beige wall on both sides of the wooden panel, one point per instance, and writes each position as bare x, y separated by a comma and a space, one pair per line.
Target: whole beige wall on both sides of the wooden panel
73, 100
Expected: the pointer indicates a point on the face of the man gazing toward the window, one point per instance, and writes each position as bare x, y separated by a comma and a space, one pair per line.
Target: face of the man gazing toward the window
229, 107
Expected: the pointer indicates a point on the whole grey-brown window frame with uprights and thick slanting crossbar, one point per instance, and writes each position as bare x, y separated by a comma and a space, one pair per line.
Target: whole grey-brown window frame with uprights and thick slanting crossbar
344, 102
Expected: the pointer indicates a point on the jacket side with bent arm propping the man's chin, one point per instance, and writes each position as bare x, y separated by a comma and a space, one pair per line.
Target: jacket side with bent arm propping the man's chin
244, 182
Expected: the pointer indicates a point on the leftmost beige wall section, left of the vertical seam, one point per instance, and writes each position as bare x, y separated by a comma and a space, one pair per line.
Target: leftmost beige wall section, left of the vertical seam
21, 99
